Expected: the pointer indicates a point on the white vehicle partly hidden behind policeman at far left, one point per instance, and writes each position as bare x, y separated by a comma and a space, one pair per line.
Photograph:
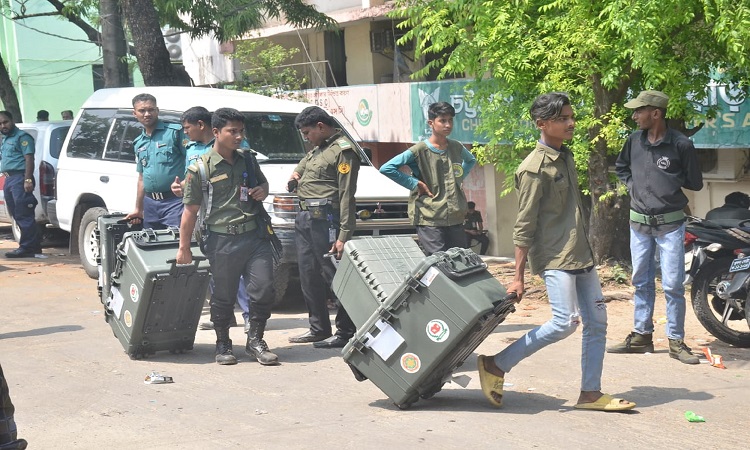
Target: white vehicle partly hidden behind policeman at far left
48, 139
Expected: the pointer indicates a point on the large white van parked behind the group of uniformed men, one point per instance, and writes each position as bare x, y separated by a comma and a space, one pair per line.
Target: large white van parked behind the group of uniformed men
96, 172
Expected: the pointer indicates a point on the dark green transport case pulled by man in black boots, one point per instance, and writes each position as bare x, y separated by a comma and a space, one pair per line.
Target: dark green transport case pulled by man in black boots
155, 304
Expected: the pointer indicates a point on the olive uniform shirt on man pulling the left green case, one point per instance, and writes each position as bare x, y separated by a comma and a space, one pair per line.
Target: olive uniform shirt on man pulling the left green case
225, 179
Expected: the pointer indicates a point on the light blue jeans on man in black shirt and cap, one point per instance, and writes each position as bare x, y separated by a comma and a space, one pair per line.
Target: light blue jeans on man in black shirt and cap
672, 260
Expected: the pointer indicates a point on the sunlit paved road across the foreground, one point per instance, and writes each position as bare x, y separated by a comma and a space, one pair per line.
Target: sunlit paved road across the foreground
75, 388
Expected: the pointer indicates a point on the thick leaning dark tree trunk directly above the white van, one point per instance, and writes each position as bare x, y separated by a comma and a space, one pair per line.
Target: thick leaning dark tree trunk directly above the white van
151, 51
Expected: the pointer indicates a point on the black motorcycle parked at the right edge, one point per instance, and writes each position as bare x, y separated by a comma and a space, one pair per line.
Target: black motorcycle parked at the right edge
711, 249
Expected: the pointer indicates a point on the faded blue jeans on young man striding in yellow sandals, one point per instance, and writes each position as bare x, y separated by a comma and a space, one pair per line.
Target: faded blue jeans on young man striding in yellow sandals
574, 298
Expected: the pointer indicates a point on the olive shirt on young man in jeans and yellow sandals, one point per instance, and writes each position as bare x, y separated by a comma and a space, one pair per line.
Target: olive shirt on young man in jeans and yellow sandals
551, 222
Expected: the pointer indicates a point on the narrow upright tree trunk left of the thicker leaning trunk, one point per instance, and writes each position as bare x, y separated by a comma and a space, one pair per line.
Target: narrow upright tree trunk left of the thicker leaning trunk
114, 47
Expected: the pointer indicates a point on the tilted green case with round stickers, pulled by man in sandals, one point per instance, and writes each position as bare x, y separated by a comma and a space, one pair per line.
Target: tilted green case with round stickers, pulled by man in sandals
427, 327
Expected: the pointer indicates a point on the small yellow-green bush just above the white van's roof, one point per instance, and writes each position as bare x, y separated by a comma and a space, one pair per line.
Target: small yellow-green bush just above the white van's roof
265, 76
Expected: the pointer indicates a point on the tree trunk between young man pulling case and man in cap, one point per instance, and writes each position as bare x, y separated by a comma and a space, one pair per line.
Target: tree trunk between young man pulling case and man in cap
609, 231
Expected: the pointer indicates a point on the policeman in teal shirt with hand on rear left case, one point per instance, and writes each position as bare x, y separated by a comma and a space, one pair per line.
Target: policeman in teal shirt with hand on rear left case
160, 157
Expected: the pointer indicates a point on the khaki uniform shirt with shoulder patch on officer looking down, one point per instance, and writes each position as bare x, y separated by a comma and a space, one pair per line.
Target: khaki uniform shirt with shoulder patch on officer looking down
330, 171
